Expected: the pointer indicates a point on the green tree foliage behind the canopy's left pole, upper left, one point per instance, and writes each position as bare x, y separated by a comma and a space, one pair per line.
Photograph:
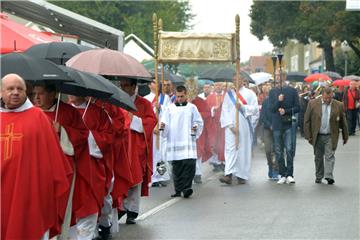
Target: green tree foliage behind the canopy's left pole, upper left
134, 16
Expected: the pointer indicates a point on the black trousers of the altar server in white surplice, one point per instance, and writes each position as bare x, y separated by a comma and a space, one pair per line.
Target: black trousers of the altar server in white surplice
183, 173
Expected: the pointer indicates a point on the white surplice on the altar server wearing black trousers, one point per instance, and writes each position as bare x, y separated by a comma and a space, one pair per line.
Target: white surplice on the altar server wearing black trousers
179, 121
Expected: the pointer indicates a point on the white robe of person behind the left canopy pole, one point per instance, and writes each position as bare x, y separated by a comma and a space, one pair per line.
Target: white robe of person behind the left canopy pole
159, 153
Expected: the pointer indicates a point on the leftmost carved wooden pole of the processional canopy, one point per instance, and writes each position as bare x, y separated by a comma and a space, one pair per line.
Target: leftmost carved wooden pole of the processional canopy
155, 39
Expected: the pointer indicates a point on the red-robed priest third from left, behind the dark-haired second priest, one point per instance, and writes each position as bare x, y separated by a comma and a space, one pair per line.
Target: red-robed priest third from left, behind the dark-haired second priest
101, 151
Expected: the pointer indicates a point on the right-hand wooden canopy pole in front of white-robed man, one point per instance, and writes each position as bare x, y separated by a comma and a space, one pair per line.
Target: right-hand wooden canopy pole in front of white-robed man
237, 38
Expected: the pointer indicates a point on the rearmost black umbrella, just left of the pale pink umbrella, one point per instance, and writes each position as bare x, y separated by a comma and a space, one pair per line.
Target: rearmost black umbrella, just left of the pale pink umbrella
57, 52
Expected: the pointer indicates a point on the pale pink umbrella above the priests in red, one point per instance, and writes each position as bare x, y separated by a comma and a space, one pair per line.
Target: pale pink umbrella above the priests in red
109, 62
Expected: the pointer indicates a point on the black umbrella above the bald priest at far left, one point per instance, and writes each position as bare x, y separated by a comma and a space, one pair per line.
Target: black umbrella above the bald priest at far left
31, 69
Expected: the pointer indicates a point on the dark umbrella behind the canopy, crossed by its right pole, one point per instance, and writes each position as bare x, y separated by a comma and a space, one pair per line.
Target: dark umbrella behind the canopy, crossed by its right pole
223, 74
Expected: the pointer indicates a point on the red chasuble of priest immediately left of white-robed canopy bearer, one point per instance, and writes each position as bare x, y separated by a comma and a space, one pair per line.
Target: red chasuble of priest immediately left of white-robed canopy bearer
217, 136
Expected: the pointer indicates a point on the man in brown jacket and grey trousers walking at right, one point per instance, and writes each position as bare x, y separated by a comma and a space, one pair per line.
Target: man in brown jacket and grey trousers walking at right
323, 119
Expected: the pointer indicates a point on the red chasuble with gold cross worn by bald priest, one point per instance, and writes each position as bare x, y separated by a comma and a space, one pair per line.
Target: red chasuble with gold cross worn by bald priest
34, 175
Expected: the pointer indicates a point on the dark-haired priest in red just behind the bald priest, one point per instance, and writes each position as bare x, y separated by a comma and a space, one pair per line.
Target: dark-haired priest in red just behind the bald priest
74, 142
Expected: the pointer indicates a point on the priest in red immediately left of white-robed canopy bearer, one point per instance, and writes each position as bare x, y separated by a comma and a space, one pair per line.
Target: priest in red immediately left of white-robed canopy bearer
217, 135
